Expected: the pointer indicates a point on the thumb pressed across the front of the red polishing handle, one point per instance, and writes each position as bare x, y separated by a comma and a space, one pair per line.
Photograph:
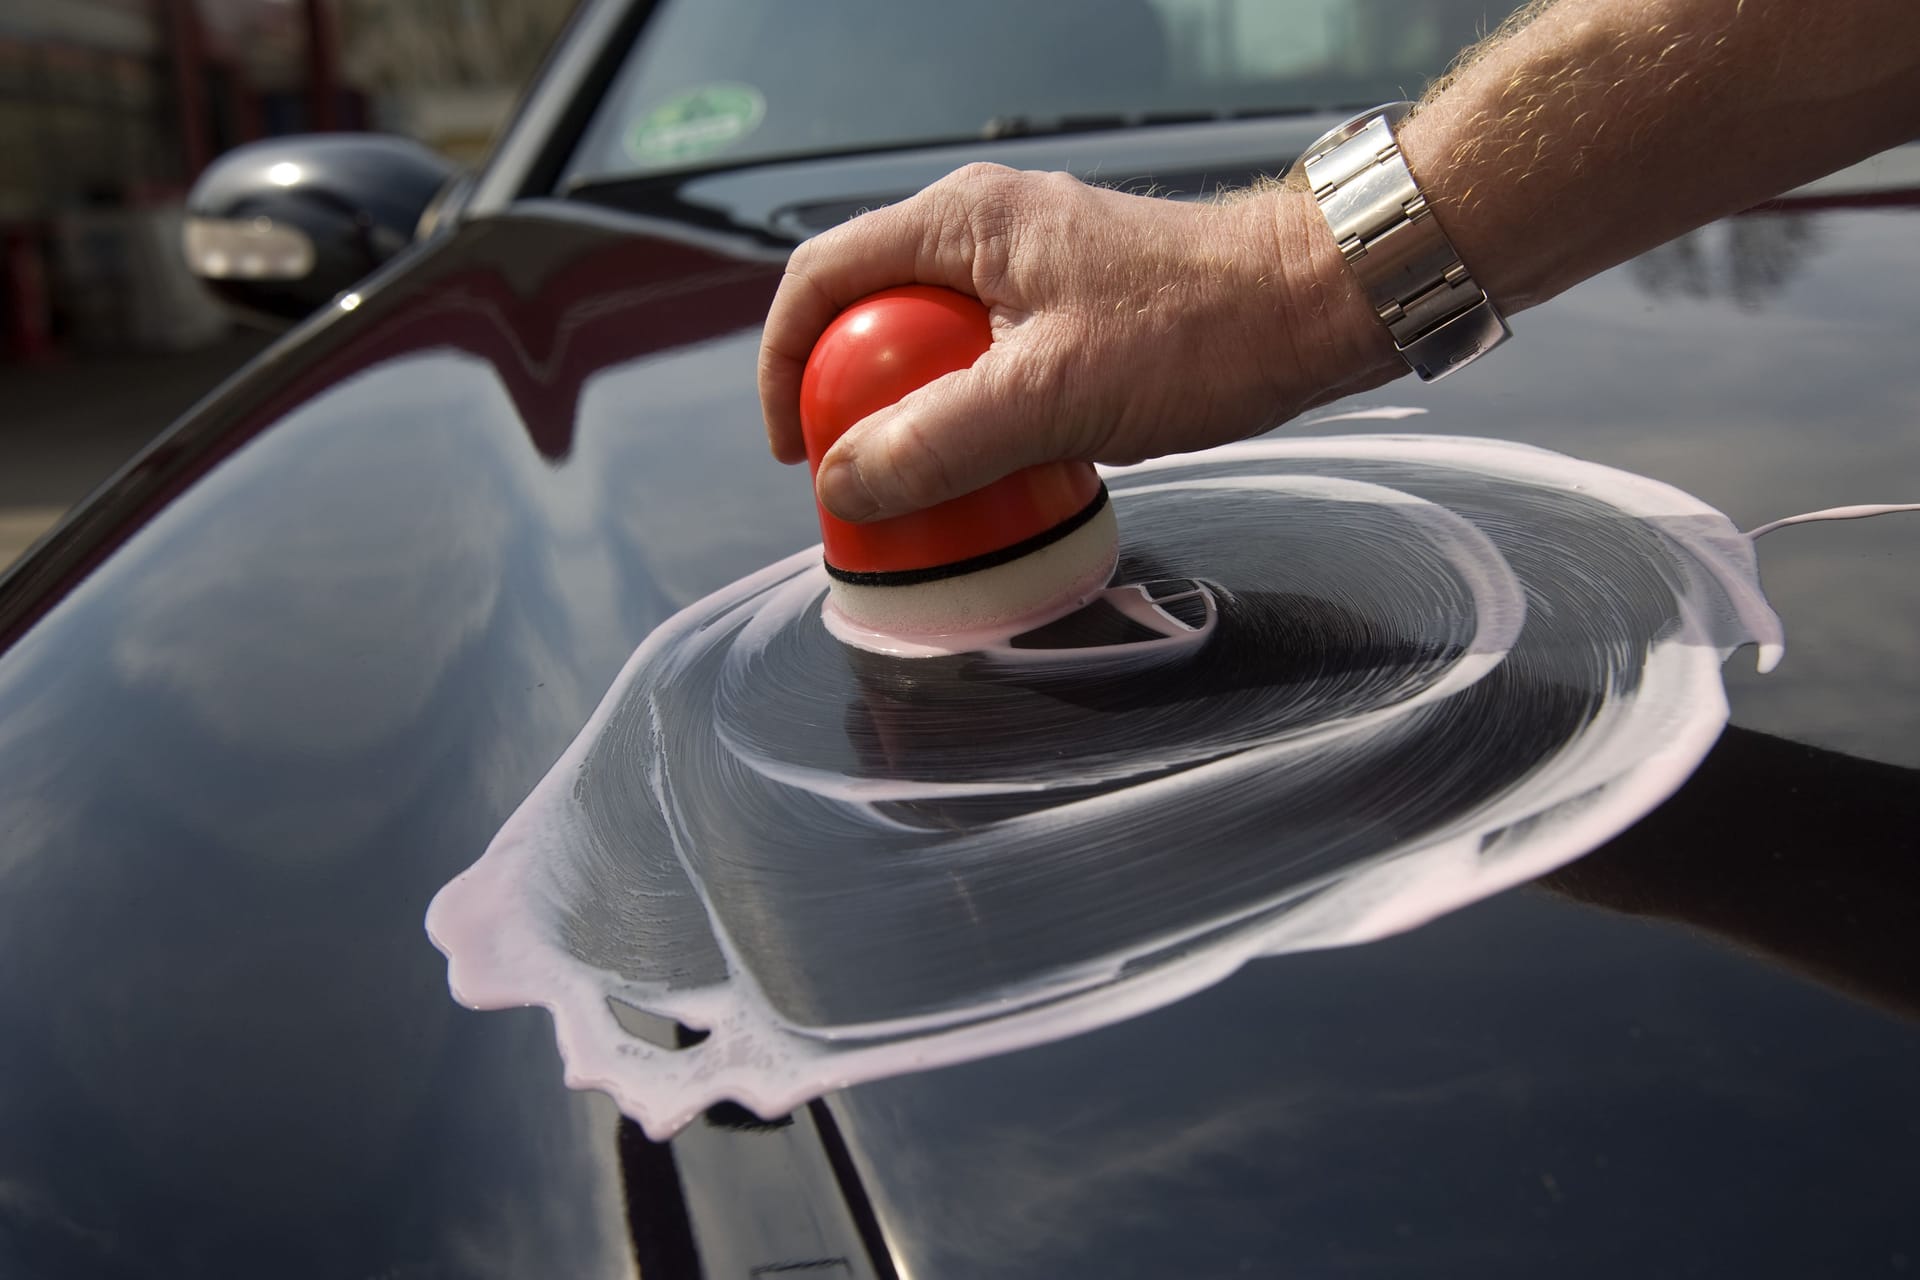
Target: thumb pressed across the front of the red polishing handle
948, 439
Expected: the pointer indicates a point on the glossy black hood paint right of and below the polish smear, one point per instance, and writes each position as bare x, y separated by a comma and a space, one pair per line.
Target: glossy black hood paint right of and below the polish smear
1692, 1055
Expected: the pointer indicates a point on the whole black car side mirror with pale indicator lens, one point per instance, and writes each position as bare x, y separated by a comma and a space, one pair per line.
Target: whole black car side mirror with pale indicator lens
283, 227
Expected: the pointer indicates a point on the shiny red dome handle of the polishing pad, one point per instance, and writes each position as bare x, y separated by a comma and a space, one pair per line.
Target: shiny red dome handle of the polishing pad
871, 356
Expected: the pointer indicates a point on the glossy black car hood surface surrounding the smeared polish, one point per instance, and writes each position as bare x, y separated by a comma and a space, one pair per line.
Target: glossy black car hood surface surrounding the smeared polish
291, 671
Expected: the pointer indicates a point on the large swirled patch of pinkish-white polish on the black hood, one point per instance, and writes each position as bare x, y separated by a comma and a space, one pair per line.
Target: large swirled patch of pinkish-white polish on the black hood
1362, 682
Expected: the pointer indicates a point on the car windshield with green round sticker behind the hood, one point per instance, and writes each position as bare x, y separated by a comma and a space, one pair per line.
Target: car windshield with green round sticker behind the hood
719, 83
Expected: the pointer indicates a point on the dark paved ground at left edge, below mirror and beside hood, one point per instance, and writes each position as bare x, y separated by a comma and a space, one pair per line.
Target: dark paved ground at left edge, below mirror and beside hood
68, 425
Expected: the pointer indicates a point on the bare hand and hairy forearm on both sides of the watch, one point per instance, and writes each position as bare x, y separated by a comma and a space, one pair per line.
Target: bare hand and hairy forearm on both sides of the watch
1130, 327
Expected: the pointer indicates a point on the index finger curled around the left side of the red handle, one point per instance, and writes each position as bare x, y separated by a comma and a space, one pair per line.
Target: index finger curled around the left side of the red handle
911, 243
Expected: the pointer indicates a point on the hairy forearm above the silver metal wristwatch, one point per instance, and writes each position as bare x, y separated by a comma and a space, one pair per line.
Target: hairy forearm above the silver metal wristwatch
1595, 130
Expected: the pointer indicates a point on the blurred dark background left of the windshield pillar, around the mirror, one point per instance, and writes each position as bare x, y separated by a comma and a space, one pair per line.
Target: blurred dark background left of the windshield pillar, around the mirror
108, 110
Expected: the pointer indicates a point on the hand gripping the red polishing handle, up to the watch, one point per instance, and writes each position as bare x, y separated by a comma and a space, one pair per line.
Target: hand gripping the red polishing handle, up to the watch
1124, 327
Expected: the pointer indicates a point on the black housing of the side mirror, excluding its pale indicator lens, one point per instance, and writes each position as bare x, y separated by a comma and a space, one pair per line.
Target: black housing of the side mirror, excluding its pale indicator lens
358, 199
